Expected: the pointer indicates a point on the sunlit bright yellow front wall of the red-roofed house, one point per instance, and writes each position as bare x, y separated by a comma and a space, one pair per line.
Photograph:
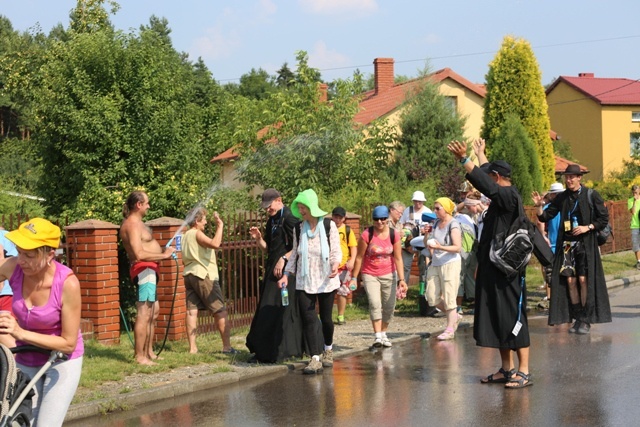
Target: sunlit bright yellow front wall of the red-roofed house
616, 129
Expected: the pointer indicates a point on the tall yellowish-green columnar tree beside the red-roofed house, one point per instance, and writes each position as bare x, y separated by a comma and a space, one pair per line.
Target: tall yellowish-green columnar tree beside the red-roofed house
514, 87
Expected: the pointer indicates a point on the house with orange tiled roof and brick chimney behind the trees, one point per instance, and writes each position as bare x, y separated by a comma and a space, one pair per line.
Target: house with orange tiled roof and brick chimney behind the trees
386, 100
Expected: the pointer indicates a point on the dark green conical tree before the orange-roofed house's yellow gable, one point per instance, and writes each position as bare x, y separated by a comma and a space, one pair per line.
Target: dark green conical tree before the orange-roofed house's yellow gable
428, 123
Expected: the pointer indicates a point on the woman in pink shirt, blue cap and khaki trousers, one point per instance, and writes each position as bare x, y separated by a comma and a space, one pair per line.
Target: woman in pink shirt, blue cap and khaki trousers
379, 256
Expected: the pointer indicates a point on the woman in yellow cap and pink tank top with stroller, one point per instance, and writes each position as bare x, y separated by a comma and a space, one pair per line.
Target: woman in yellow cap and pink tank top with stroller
46, 306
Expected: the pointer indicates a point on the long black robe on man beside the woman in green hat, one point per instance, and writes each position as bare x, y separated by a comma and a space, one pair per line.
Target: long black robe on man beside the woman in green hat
276, 331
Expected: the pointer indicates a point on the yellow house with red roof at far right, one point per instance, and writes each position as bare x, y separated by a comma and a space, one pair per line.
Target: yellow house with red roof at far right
598, 117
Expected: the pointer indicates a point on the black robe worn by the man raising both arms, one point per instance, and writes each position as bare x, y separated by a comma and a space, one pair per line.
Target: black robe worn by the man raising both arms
498, 298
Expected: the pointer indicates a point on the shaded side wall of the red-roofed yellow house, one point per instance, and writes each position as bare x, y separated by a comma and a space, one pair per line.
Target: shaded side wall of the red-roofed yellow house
578, 121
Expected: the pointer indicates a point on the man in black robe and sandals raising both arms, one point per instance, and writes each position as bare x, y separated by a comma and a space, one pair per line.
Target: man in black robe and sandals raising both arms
500, 318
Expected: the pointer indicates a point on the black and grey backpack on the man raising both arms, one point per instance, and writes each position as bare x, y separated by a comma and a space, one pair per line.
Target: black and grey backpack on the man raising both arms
511, 250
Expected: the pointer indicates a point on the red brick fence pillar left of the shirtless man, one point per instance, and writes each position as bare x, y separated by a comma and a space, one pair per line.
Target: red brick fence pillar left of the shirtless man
93, 255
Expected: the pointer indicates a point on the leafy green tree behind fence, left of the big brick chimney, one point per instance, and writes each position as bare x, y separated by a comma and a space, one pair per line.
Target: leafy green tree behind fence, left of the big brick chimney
313, 144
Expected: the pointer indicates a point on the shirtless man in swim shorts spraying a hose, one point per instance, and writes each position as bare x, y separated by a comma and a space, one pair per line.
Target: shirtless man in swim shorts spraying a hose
144, 252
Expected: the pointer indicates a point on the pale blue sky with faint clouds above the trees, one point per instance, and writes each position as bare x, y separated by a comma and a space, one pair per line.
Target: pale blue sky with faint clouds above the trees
232, 37
